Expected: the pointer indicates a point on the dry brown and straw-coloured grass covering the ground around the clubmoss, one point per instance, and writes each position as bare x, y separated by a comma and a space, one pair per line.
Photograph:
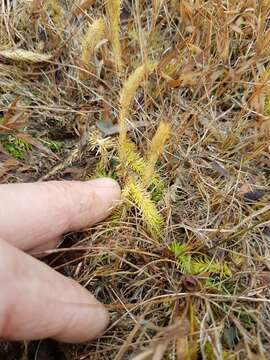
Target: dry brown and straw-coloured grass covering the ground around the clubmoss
212, 85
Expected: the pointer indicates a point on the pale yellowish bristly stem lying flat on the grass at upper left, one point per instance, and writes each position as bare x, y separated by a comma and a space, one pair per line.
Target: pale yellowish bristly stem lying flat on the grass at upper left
25, 55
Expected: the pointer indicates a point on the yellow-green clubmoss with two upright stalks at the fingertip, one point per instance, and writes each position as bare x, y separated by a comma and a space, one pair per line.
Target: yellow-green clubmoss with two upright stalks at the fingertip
137, 185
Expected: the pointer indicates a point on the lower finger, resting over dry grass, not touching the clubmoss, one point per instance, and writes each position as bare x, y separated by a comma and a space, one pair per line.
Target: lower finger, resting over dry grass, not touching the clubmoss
37, 302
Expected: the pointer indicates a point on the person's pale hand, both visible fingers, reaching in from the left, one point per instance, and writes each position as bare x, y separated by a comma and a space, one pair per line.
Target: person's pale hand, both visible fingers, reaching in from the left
37, 302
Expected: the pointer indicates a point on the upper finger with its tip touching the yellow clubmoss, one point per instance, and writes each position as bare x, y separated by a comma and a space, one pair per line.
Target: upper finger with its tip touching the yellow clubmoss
33, 214
